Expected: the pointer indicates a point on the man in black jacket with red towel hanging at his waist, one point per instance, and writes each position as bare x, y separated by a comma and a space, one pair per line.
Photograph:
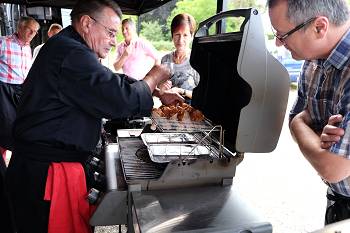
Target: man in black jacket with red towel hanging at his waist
65, 97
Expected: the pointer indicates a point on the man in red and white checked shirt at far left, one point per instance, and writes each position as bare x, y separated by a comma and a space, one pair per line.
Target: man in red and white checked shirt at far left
15, 62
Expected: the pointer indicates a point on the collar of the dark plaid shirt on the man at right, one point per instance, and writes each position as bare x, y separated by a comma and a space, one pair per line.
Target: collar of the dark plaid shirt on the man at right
340, 55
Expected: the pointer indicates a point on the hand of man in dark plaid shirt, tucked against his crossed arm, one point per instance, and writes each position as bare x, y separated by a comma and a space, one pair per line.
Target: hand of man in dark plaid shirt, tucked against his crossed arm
331, 134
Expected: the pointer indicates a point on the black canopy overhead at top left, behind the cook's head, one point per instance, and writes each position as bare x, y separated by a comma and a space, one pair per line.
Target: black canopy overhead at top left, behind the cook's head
129, 7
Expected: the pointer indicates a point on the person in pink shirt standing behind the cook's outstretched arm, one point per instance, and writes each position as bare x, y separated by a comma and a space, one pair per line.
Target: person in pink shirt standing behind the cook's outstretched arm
134, 52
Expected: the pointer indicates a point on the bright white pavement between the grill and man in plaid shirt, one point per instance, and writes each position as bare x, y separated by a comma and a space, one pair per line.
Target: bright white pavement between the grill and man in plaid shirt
281, 185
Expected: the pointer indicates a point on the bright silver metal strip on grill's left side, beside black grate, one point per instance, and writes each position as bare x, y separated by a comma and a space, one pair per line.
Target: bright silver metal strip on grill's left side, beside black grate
112, 152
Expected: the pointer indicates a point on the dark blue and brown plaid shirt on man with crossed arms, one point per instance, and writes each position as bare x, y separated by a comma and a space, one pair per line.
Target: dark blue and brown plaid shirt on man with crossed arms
324, 89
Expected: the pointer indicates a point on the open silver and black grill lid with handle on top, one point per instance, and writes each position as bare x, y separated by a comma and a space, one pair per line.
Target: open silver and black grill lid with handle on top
242, 86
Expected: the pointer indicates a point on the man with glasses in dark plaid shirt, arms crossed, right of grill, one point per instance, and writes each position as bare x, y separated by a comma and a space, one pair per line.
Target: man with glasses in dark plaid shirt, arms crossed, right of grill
318, 31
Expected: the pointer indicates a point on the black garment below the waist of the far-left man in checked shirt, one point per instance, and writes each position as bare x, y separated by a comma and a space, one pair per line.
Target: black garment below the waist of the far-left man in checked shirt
9, 100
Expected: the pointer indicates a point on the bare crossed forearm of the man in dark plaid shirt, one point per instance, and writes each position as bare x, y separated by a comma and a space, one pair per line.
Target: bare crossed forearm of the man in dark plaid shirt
331, 167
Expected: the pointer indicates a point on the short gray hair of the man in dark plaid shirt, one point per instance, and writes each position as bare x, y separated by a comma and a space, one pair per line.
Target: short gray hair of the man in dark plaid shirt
299, 11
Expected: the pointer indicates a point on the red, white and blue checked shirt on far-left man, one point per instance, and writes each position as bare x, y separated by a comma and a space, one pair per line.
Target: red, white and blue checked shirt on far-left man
15, 60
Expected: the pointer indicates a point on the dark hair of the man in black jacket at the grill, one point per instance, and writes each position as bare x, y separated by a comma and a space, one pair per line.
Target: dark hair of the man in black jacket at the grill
93, 8
